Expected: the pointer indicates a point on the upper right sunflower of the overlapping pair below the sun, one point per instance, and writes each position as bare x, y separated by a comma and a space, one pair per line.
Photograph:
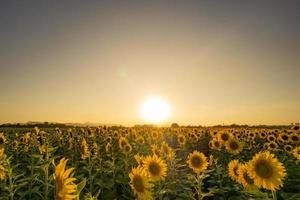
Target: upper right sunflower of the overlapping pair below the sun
155, 167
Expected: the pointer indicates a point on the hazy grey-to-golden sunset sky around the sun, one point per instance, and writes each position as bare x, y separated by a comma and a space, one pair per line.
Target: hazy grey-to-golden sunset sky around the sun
214, 62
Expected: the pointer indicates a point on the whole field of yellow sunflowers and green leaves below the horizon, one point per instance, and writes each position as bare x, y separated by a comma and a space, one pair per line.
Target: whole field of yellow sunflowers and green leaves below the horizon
149, 163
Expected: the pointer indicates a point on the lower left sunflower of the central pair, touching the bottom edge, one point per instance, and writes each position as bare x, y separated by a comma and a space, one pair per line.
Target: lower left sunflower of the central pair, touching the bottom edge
140, 184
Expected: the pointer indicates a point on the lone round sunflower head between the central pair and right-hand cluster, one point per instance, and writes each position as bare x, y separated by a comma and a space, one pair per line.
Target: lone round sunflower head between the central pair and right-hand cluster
197, 162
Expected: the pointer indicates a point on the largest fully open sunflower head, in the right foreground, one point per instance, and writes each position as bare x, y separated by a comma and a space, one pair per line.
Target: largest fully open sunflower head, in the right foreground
266, 171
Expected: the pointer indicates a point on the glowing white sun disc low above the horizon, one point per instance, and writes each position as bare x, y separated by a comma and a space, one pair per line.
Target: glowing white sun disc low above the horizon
155, 110
